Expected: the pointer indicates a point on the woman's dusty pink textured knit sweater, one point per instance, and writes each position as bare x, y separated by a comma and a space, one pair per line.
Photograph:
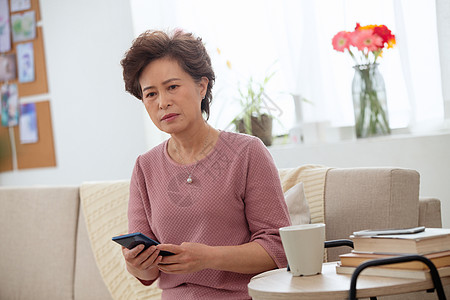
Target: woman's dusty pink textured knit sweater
235, 198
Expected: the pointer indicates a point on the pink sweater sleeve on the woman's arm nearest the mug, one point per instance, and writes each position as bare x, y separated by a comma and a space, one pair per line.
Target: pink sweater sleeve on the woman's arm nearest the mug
265, 207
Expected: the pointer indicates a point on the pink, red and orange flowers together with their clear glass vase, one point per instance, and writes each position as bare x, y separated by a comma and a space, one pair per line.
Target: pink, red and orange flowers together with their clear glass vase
365, 45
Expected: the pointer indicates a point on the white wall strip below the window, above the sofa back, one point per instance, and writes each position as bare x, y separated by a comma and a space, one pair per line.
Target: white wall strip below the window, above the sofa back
429, 155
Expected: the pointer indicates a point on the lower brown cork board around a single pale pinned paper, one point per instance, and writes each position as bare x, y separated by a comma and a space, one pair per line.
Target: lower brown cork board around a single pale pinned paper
42, 153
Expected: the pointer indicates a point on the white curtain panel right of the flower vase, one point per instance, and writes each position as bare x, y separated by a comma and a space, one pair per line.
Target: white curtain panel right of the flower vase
419, 56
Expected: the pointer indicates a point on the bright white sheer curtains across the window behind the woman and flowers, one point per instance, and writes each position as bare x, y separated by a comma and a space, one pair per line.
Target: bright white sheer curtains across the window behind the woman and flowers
293, 38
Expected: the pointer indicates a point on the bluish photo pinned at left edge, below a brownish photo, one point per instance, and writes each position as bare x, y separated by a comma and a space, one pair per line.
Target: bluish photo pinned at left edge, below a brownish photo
10, 105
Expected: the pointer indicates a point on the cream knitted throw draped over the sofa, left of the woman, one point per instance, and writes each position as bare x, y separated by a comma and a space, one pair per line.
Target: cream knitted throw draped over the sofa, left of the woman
105, 209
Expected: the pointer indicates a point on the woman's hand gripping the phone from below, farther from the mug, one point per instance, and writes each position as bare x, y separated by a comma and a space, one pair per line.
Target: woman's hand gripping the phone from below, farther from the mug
142, 264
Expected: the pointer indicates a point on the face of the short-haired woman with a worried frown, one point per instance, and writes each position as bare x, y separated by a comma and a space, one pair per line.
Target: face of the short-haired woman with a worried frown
170, 95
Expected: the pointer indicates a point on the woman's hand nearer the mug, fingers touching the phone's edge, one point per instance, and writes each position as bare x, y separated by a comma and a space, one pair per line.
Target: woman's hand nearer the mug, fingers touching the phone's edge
188, 258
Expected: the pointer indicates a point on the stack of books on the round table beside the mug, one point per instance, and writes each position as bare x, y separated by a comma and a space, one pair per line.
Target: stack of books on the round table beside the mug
433, 243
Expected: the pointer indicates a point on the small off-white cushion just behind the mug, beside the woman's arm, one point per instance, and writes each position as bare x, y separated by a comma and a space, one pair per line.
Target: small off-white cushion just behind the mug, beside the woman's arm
297, 205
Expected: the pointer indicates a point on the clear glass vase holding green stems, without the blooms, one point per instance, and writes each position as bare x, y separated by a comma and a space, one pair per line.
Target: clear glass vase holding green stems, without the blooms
369, 102
